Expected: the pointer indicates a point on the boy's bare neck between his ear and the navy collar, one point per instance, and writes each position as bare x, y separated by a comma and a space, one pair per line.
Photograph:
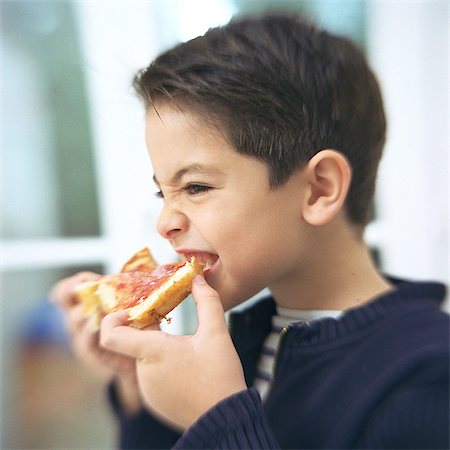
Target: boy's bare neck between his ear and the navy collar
340, 274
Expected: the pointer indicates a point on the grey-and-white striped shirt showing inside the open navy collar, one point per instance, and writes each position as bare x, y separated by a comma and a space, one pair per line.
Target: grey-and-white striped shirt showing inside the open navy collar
280, 320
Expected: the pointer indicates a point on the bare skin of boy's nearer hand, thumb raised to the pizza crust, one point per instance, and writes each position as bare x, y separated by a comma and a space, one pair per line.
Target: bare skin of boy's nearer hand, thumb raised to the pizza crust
181, 377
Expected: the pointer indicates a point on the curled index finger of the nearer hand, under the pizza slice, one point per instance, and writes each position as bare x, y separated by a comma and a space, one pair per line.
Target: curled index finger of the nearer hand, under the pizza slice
116, 335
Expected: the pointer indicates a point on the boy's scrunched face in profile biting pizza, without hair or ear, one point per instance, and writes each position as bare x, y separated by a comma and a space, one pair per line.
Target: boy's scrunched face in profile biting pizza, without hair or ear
219, 207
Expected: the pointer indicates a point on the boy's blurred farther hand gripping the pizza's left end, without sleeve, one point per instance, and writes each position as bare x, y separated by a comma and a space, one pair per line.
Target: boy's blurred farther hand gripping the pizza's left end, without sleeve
84, 339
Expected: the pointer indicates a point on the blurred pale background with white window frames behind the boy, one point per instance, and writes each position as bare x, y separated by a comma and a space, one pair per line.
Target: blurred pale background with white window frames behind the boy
76, 188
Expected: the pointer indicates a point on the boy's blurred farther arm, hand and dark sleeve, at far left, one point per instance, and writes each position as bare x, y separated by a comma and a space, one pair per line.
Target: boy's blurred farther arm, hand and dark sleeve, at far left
137, 428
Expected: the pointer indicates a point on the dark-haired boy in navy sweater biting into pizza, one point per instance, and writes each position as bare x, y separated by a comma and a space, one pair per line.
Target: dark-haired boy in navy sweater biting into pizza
265, 137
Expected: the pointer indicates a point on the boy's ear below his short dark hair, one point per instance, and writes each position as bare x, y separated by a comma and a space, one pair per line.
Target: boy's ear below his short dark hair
328, 174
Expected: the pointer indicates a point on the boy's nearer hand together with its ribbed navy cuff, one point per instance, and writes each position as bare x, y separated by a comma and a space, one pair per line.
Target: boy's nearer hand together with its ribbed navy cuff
194, 382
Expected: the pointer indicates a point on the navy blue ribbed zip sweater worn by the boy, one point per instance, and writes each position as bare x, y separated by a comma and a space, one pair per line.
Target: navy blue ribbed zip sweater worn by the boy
377, 377
